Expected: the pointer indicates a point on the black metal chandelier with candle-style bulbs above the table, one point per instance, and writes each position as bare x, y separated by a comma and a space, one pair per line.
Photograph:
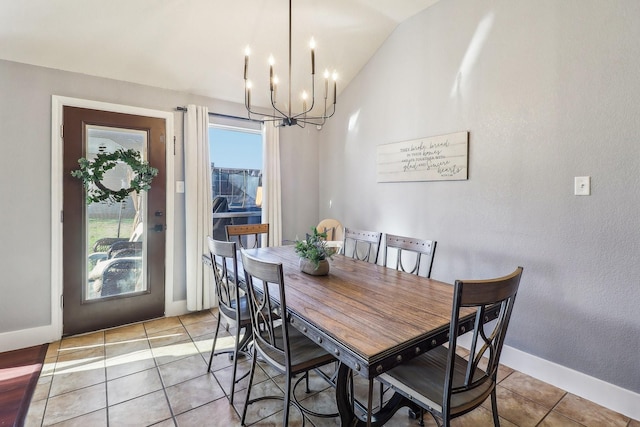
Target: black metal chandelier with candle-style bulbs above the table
279, 116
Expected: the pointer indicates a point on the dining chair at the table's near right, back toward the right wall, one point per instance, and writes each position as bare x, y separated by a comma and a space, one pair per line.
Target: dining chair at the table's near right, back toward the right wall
445, 384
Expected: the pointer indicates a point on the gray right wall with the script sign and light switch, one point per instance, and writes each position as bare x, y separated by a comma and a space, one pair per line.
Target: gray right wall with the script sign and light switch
548, 90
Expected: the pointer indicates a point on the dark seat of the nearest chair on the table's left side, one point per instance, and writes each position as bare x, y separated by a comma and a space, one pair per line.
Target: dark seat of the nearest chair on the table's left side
305, 354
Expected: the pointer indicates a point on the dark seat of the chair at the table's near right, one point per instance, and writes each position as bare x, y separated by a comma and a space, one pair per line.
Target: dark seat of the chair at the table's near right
421, 380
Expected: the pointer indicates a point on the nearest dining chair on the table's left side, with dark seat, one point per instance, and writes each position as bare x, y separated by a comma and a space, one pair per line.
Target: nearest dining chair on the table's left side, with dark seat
284, 348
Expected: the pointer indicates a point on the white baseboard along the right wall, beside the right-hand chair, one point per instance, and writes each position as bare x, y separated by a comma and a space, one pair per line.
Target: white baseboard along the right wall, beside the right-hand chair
610, 396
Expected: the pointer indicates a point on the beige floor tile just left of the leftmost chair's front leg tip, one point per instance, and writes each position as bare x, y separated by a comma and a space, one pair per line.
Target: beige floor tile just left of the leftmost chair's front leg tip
193, 393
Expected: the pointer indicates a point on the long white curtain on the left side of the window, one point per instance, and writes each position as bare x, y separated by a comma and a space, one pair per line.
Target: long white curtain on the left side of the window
198, 215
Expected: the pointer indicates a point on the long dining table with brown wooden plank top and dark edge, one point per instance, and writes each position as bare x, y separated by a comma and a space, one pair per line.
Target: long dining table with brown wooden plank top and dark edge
370, 317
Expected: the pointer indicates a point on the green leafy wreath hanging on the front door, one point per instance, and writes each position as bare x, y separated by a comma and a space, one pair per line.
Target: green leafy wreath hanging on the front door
92, 172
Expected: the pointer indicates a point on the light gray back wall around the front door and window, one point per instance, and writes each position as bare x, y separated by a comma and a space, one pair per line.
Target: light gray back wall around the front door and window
25, 182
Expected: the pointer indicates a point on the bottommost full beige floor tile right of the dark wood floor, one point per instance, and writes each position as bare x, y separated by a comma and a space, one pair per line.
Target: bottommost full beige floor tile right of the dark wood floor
73, 404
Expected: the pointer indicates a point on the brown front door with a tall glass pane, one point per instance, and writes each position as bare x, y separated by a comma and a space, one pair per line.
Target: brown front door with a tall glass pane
113, 253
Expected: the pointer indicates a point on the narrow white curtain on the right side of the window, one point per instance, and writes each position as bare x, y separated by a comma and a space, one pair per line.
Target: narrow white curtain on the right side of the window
271, 204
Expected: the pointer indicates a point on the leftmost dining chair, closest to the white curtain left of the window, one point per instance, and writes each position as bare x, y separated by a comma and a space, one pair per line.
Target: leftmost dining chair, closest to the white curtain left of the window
232, 305
